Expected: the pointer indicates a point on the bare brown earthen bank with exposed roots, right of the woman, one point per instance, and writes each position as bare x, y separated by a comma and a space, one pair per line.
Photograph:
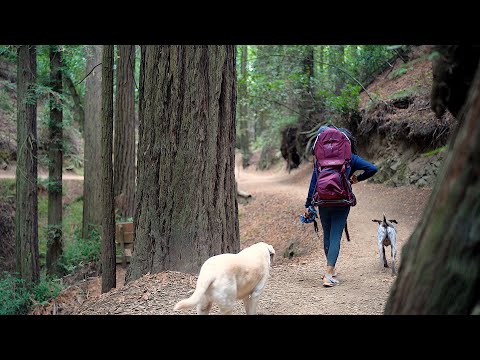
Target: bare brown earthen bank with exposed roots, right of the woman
397, 129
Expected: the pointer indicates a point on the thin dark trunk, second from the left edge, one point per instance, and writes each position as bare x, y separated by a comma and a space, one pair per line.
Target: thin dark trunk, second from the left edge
55, 160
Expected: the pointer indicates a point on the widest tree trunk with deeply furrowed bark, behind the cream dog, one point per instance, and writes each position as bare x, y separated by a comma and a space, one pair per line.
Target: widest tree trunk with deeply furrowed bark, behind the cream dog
186, 205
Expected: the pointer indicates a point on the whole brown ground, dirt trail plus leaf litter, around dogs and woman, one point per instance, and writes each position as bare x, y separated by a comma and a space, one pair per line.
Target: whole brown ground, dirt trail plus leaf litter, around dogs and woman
295, 283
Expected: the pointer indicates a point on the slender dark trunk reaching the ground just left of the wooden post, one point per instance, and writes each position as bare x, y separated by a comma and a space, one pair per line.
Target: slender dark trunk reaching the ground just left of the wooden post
107, 208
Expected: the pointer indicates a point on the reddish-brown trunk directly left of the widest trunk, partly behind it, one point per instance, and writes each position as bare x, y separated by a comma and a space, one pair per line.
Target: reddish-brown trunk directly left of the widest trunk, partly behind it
124, 142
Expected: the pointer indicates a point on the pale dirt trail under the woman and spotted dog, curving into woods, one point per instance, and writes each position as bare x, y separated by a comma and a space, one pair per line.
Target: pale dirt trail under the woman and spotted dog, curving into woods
364, 285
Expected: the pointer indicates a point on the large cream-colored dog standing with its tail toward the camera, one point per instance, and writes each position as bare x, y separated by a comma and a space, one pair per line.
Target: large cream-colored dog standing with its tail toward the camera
226, 278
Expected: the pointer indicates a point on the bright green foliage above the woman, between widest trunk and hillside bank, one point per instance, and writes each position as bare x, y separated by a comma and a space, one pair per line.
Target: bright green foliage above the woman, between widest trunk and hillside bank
282, 90
